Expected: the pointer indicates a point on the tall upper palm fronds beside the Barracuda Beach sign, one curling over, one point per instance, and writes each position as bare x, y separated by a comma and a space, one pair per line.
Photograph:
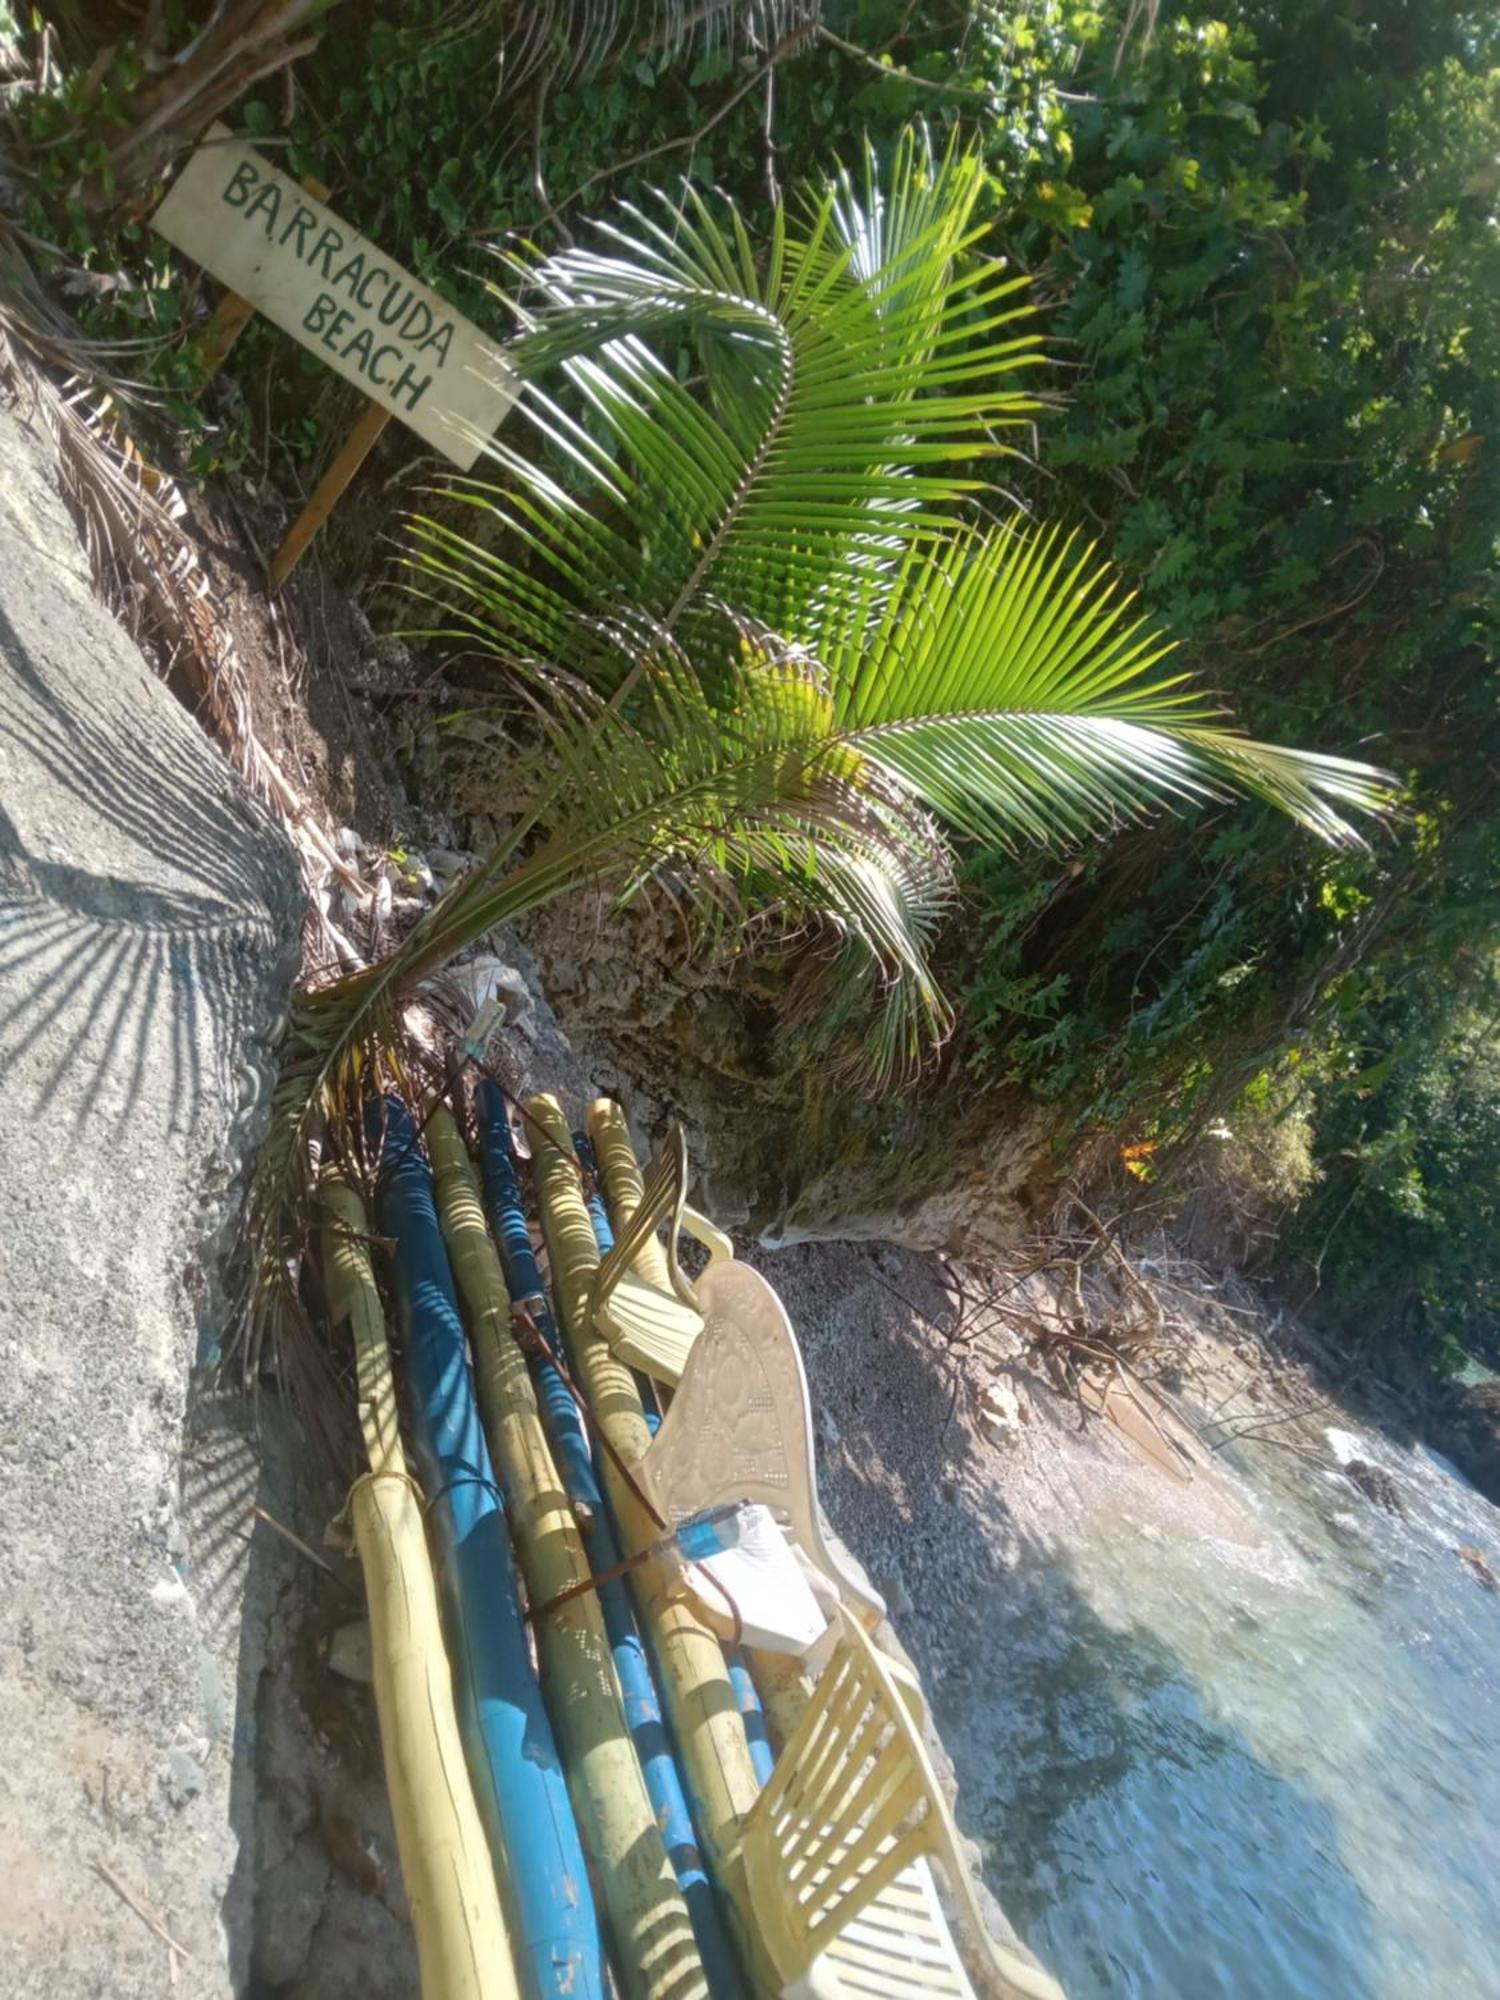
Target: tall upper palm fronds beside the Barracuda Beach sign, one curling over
847, 375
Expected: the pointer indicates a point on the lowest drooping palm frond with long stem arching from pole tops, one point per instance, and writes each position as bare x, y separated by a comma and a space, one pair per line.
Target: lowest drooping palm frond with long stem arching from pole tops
757, 799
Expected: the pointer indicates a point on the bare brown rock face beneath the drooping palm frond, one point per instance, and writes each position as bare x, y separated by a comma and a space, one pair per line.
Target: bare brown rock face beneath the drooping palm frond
787, 1149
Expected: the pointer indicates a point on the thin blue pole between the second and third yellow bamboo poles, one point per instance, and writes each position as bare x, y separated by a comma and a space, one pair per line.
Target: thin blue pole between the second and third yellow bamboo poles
577, 1465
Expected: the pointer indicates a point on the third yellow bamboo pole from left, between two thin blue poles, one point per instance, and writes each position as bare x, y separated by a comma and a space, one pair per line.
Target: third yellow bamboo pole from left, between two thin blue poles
695, 1681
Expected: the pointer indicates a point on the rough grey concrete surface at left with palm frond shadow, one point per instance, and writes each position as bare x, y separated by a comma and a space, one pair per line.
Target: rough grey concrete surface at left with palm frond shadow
147, 943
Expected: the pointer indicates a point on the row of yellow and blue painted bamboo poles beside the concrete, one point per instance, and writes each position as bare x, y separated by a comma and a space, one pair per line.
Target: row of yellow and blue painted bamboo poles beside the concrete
569, 1745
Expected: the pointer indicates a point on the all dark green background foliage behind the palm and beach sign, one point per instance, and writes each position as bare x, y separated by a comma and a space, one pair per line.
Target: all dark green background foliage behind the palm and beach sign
1265, 241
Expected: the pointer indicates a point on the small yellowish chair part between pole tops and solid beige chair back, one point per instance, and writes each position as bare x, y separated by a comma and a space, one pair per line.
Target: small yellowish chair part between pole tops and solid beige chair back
645, 1325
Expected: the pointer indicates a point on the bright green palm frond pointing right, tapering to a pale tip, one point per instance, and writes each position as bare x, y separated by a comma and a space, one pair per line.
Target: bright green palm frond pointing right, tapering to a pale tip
1009, 685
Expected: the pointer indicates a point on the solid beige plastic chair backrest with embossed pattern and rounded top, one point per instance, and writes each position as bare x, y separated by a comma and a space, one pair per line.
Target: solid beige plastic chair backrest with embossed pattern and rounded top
741, 1425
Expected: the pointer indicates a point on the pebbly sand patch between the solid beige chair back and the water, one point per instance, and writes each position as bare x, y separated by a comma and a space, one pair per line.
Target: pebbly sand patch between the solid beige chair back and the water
913, 1475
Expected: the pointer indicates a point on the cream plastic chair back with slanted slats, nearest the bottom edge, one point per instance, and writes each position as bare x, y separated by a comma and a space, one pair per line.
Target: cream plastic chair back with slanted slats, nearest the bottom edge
851, 1809
